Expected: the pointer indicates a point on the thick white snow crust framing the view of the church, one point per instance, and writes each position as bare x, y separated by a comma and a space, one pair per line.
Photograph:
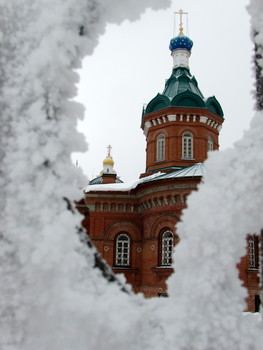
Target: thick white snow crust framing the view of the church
51, 296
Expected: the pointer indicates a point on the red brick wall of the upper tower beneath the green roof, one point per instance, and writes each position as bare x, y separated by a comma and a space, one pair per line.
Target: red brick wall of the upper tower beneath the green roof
173, 131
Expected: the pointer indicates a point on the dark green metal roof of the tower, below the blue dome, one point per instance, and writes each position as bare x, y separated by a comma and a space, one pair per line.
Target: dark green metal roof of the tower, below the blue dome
181, 90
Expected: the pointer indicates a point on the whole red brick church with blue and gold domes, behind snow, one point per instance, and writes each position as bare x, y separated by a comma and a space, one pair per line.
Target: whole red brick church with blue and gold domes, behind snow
133, 225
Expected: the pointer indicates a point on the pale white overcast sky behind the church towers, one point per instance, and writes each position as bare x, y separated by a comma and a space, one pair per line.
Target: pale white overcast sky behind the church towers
130, 65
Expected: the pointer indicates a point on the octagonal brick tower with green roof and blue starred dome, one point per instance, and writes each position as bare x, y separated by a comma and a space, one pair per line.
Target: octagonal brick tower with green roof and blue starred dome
180, 124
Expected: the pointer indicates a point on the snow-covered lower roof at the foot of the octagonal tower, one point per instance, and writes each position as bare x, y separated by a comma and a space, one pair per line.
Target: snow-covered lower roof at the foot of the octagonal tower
191, 171
